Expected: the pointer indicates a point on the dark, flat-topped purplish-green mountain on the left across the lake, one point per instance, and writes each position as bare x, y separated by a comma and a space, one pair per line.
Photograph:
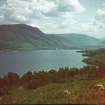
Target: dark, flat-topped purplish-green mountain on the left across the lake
20, 36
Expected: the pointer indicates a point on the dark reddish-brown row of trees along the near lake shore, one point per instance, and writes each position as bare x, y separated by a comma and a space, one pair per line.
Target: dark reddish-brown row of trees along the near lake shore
33, 80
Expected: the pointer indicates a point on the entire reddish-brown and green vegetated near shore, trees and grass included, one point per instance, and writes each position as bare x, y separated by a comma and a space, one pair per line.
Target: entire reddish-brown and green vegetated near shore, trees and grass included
65, 86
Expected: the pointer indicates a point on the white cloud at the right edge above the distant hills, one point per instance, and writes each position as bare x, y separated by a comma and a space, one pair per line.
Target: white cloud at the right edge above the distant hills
97, 26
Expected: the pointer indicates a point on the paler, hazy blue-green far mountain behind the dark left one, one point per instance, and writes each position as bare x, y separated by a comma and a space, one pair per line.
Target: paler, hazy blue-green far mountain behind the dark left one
79, 40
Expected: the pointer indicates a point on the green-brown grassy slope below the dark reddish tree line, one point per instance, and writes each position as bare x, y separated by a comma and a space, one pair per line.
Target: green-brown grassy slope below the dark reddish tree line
82, 92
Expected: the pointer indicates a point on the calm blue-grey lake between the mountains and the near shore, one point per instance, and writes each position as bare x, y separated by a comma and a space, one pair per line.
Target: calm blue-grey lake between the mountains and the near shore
22, 62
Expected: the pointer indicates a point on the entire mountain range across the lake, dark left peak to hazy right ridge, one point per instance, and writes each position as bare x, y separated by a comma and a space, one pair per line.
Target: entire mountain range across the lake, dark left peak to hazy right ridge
24, 37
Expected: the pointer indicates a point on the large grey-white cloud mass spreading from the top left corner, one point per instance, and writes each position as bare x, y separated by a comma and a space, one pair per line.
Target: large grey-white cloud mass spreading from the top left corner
25, 11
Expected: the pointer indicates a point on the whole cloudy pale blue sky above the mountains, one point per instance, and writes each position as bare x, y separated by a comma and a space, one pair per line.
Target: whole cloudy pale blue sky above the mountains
57, 16
